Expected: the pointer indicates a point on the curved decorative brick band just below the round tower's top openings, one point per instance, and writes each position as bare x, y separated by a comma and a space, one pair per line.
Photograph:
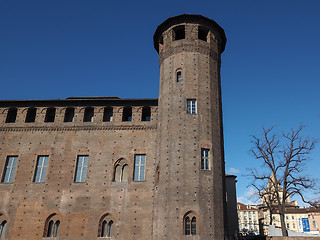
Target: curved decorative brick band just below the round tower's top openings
188, 48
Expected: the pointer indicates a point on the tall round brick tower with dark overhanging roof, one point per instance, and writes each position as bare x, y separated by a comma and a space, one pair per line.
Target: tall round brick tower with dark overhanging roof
189, 181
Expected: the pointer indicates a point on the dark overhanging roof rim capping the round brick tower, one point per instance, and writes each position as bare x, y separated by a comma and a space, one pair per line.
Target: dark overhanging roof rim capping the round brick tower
189, 18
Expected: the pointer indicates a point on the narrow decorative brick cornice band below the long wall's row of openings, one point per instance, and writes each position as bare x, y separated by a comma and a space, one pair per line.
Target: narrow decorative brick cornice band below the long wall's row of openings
76, 128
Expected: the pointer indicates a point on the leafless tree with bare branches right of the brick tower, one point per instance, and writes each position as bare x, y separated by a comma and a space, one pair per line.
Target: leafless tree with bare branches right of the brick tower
283, 157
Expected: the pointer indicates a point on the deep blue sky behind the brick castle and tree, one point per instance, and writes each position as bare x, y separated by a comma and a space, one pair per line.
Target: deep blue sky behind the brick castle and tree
270, 68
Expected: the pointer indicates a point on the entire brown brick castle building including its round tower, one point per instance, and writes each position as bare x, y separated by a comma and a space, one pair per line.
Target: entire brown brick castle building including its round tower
105, 167
